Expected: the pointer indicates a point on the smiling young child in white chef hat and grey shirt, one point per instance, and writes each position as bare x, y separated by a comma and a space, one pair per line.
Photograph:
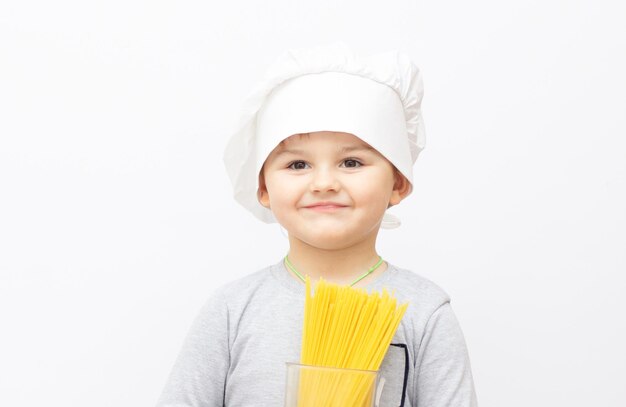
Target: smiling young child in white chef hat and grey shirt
326, 147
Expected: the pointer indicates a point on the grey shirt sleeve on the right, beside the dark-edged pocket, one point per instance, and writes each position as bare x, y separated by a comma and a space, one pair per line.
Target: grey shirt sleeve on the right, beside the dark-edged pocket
443, 372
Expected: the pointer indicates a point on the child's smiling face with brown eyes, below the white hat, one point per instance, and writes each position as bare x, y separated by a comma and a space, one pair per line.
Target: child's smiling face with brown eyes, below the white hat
329, 189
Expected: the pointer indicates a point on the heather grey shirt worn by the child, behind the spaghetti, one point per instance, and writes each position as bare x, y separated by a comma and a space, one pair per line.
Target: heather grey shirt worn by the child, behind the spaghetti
235, 351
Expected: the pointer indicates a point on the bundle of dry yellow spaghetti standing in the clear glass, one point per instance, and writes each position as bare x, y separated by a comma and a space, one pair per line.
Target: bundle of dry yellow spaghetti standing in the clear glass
345, 328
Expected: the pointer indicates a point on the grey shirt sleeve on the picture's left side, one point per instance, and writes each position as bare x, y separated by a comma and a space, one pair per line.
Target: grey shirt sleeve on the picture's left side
199, 373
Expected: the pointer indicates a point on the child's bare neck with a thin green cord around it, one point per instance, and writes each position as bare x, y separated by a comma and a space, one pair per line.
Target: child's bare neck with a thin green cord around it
340, 266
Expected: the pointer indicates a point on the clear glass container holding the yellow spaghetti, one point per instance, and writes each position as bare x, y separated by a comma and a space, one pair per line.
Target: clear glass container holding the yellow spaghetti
316, 386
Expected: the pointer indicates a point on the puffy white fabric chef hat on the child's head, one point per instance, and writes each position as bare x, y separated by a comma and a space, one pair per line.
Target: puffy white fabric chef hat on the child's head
328, 88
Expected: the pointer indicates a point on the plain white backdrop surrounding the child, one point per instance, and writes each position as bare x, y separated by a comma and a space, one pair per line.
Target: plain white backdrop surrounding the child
116, 216
